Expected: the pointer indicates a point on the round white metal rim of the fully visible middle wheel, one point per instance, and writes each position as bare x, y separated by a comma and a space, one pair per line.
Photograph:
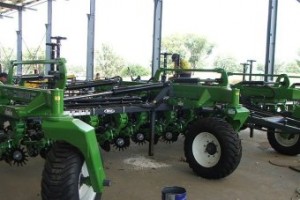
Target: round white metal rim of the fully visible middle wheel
206, 149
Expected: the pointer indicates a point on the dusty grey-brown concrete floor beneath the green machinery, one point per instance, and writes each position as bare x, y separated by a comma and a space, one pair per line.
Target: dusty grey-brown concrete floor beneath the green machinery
254, 179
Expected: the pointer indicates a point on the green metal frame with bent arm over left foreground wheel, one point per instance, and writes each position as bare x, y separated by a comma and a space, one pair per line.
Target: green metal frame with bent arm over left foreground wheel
48, 105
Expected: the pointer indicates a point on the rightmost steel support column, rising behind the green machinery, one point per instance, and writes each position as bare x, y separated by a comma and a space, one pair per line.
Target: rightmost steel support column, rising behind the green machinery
271, 39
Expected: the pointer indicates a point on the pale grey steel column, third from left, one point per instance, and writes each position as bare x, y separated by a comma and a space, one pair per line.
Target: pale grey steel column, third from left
90, 42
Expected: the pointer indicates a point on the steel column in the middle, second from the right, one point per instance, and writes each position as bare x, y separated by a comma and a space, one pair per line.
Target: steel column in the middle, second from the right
157, 24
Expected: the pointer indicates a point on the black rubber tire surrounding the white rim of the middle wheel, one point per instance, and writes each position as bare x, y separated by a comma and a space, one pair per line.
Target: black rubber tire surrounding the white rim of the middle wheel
221, 130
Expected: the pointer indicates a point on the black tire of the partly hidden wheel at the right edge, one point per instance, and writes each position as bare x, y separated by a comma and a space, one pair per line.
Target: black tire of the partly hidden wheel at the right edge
285, 146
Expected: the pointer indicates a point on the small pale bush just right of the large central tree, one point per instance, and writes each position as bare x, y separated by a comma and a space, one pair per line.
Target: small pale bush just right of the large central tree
229, 63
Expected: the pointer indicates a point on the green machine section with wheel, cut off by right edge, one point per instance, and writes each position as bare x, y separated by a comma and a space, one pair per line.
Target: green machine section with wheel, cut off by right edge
274, 108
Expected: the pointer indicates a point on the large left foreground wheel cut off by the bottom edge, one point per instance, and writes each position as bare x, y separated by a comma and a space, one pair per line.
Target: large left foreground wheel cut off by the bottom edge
64, 173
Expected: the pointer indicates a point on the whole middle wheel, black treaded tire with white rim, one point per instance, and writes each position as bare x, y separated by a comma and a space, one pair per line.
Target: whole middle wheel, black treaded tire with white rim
212, 148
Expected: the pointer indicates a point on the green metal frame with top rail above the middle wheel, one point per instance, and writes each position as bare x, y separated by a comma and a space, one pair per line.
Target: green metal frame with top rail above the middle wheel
208, 95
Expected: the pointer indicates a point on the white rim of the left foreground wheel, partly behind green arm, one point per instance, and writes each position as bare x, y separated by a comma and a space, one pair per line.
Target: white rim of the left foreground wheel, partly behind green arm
86, 192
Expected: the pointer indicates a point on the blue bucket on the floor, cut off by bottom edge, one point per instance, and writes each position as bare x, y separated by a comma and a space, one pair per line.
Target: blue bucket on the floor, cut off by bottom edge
173, 193
